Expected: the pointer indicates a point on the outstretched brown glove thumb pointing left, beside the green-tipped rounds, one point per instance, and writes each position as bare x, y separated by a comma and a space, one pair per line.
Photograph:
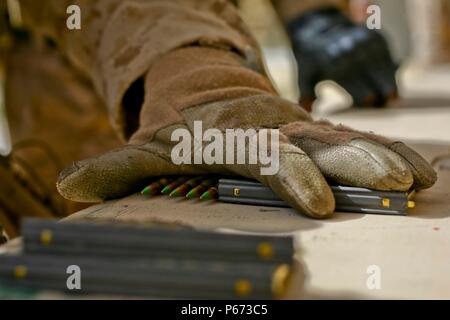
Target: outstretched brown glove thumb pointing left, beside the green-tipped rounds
117, 173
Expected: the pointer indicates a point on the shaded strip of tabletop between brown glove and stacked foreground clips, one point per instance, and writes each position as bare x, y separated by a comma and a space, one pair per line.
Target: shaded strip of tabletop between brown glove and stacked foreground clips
205, 215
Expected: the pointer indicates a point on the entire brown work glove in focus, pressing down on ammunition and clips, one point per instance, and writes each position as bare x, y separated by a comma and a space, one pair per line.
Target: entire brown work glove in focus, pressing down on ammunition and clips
217, 87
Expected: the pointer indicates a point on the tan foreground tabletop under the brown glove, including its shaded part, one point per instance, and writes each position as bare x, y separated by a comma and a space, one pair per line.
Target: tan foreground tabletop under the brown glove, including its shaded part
411, 254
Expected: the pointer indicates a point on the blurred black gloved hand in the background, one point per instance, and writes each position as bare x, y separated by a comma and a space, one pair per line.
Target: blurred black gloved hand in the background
329, 46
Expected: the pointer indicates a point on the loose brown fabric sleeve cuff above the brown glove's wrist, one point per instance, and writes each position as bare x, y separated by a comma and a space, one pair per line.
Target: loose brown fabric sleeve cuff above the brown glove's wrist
119, 40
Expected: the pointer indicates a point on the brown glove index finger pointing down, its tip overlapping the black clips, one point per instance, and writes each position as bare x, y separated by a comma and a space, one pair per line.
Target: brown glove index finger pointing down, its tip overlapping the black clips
298, 181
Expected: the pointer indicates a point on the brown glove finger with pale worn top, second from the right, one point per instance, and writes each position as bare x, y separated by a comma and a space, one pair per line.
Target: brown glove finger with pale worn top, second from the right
349, 158
